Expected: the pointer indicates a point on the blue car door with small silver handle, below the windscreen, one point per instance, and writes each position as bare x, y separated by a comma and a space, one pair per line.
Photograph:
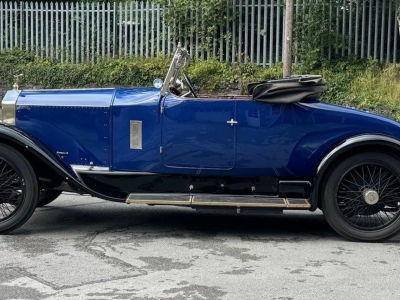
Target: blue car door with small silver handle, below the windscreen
198, 133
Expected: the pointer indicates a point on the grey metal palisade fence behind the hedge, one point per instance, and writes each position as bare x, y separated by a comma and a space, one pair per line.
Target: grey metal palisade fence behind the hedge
81, 32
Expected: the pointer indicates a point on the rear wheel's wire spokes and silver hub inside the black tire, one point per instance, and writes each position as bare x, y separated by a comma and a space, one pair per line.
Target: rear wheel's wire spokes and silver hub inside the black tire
368, 196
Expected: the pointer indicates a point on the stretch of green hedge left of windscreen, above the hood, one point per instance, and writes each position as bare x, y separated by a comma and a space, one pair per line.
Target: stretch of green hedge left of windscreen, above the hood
52, 74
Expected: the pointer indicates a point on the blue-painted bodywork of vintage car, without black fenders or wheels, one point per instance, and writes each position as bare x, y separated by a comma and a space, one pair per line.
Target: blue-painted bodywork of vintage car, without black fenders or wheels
191, 136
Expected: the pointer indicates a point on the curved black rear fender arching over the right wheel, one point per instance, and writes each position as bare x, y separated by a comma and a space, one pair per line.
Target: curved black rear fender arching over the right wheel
355, 144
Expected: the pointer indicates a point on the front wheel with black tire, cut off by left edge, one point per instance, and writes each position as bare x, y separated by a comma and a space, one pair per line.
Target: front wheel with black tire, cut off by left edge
18, 189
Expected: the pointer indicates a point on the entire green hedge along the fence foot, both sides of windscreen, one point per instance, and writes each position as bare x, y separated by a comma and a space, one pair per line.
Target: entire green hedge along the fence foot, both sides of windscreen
361, 83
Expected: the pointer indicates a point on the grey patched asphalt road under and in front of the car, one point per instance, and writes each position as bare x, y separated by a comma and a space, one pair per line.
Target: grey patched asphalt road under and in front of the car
80, 247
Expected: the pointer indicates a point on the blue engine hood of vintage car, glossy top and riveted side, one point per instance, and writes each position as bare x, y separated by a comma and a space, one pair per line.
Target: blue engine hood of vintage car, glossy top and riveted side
76, 122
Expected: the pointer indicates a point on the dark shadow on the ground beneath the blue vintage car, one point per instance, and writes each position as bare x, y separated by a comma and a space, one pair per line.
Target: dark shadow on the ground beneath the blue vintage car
299, 225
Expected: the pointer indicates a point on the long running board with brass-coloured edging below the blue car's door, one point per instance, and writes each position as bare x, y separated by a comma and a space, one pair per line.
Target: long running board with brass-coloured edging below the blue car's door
218, 200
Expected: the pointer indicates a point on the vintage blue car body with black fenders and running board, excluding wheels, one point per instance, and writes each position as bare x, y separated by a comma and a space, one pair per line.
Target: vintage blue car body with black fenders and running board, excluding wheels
148, 145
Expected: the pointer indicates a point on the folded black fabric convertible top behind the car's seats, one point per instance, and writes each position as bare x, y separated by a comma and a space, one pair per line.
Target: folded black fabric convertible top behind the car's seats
288, 90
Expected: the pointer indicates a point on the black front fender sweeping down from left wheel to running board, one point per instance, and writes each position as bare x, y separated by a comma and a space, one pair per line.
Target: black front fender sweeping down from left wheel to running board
18, 139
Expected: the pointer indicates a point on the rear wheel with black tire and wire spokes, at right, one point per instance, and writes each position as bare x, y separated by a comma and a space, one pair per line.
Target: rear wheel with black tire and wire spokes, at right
361, 197
